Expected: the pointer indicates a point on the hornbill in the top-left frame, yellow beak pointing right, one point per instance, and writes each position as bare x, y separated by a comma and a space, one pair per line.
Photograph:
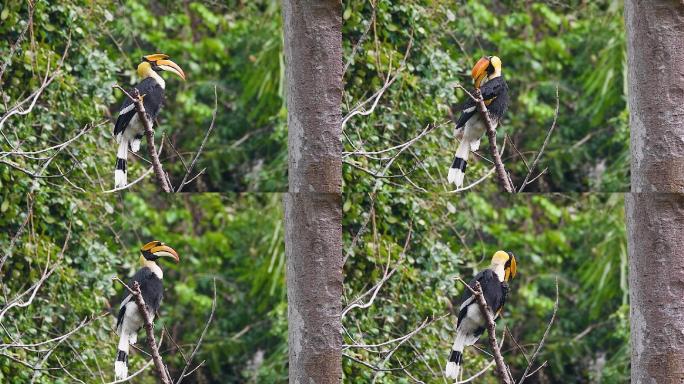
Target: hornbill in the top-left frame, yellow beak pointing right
128, 128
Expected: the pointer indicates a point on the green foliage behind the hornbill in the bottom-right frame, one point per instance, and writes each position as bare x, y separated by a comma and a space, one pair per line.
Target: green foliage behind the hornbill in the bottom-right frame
578, 239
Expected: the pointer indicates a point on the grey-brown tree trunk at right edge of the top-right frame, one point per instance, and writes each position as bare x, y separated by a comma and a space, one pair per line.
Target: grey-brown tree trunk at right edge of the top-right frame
655, 47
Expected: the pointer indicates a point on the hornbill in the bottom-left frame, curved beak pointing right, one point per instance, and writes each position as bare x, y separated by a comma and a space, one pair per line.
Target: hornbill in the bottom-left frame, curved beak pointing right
130, 320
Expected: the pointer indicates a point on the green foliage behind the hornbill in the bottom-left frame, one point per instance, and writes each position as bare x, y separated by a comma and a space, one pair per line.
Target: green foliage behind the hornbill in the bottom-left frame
234, 240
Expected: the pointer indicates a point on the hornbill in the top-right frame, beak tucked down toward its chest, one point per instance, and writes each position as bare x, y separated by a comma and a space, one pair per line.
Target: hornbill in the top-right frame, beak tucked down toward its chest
470, 126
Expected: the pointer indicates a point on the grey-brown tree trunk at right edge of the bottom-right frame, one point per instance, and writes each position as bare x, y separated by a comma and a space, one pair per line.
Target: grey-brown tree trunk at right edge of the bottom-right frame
656, 282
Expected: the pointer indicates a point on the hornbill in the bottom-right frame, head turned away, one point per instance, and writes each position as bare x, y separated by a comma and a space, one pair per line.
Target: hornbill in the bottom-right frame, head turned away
471, 321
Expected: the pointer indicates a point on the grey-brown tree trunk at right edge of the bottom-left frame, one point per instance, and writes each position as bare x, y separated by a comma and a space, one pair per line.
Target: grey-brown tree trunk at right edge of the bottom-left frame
313, 245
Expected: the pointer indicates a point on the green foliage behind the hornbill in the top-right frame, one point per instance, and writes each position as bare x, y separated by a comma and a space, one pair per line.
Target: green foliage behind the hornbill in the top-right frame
576, 46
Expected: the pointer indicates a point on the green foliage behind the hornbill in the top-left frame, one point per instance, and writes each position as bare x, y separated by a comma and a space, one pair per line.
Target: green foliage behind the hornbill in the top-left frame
235, 46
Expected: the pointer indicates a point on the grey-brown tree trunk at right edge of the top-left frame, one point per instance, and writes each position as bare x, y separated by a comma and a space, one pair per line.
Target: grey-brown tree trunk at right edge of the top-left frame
313, 72
